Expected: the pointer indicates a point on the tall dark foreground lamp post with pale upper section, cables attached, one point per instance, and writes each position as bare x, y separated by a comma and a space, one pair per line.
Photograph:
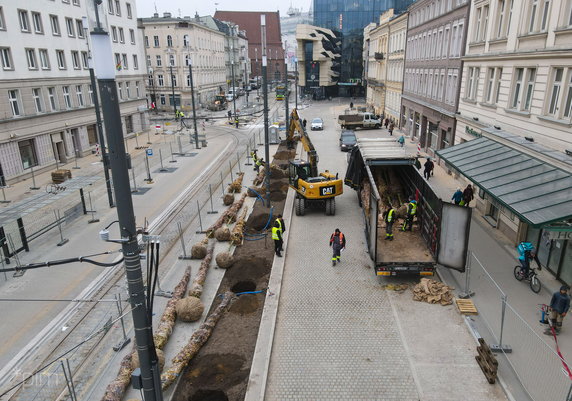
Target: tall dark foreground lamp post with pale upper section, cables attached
105, 68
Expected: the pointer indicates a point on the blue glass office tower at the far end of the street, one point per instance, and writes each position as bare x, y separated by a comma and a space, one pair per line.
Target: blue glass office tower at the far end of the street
349, 18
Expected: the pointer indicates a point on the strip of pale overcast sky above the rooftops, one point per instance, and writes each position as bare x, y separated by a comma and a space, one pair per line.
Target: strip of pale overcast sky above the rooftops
146, 8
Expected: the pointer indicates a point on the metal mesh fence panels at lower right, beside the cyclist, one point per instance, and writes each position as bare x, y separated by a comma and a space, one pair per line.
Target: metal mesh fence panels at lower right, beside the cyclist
533, 360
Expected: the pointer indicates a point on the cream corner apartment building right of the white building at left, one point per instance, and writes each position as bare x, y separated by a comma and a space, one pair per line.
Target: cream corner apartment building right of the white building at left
172, 44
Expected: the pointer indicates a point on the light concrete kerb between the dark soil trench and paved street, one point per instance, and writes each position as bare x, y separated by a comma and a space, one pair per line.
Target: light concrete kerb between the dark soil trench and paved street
258, 377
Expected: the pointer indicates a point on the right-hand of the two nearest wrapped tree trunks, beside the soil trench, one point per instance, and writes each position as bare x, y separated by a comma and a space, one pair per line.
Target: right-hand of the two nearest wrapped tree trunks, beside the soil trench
197, 340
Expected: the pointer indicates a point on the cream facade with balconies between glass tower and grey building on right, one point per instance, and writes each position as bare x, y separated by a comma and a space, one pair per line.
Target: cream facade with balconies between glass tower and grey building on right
384, 47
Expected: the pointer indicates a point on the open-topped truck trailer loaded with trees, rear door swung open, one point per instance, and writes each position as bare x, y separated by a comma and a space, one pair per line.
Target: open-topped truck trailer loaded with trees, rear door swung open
384, 174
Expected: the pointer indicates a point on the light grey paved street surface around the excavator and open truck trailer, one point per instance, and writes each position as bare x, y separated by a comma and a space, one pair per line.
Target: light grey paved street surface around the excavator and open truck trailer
339, 335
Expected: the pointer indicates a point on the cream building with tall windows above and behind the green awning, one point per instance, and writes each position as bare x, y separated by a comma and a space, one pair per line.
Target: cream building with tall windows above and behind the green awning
517, 92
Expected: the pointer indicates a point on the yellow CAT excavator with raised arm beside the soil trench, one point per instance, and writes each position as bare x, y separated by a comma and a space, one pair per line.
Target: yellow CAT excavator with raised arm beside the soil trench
312, 189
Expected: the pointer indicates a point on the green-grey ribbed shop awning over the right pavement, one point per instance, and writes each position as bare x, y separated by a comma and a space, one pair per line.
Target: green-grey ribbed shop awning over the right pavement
534, 190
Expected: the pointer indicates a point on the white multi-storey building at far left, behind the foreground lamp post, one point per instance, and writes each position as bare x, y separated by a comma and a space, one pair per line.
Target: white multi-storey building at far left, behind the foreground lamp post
46, 108
